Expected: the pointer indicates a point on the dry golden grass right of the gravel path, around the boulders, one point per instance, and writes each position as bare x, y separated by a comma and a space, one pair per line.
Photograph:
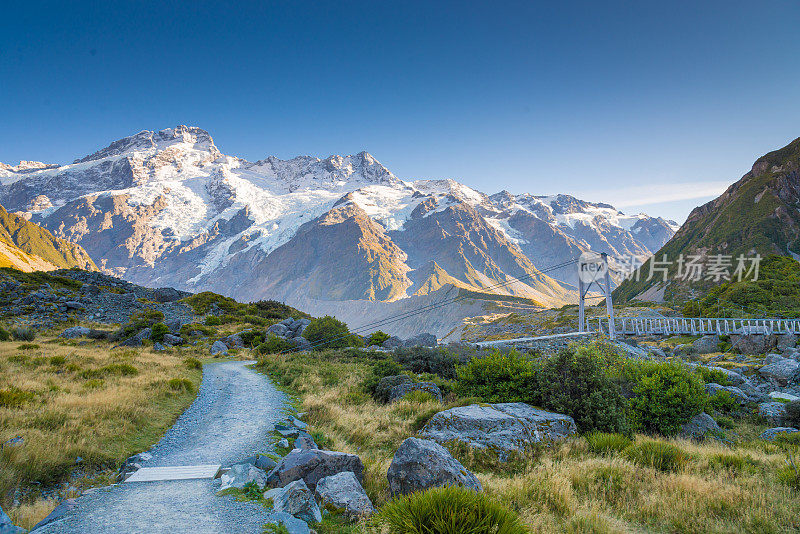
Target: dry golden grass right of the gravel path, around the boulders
565, 488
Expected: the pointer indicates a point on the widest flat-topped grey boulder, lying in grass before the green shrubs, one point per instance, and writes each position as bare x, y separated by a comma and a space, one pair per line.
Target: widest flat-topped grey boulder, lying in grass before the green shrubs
501, 427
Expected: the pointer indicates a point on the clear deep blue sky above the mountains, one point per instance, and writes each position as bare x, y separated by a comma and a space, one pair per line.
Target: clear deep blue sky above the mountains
651, 106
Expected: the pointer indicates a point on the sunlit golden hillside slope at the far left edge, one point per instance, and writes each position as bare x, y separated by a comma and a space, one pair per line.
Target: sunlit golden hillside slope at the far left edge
27, 244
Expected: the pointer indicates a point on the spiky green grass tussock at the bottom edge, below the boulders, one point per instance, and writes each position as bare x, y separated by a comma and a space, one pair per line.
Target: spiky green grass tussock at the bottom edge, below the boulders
448, 510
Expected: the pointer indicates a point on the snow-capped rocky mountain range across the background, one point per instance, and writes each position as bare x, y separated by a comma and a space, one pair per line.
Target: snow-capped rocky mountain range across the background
168, 208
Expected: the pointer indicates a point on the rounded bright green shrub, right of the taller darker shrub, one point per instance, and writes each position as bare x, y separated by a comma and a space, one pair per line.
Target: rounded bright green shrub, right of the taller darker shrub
665, 396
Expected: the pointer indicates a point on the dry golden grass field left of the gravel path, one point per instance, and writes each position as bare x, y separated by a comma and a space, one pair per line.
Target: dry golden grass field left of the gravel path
91, 401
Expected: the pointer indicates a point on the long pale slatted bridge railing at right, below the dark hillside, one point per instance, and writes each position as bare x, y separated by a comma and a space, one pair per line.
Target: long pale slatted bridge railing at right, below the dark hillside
696, 325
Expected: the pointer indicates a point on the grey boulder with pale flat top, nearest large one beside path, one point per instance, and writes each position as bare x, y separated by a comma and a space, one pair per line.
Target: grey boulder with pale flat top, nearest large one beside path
311, 465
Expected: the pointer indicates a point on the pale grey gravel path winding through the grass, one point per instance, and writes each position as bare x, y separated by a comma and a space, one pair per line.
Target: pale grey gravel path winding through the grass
234, 411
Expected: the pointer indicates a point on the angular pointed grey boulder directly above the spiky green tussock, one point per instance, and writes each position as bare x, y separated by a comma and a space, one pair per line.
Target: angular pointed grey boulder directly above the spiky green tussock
420, 464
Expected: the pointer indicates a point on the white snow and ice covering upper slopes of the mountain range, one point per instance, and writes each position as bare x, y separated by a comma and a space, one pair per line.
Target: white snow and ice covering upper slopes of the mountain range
200, 187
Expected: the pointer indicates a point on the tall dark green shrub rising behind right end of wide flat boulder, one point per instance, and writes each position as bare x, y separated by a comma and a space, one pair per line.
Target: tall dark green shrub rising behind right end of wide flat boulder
576, 382
